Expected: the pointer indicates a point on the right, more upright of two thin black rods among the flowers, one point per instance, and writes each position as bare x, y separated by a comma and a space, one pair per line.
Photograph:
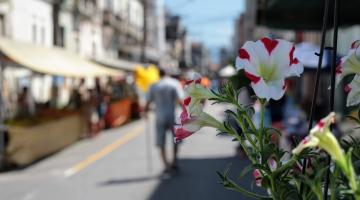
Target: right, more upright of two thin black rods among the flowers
332, 89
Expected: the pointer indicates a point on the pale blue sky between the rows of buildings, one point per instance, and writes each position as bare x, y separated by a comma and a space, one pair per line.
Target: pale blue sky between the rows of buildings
208, 21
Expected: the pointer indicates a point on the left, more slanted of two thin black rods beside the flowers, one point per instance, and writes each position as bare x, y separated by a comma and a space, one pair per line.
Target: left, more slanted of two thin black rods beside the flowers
317, 79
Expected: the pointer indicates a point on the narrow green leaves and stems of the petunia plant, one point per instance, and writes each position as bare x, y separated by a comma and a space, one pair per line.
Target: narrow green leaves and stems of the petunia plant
282, 181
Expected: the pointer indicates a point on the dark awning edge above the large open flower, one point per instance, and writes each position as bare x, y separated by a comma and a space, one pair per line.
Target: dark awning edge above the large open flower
304, 14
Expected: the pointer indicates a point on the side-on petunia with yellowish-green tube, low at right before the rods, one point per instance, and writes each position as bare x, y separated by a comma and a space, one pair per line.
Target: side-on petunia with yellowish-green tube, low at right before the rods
321, 136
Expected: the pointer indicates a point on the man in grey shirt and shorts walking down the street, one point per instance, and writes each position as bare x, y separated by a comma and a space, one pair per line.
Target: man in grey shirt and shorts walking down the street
165, 94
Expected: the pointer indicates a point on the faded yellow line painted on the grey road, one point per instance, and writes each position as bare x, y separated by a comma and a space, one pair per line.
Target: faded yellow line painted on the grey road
103, 152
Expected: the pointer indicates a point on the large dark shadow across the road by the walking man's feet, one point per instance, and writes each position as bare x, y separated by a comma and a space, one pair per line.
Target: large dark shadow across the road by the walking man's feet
198, 180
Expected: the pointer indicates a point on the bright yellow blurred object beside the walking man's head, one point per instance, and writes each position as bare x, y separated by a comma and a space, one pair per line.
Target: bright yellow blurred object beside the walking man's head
145, 77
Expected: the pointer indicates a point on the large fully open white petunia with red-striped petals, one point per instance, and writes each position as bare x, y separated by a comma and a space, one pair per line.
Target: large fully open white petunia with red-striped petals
267, 63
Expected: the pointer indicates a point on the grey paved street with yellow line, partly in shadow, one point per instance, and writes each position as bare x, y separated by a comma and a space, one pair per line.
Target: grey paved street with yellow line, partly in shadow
114, 166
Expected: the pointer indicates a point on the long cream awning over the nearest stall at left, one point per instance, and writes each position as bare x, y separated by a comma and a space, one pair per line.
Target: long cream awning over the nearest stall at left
53, 61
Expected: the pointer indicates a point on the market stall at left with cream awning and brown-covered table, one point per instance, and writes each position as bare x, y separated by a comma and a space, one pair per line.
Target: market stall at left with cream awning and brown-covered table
53, 126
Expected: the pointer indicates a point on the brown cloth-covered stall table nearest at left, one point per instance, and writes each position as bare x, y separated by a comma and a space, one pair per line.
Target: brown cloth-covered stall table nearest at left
30, 143
